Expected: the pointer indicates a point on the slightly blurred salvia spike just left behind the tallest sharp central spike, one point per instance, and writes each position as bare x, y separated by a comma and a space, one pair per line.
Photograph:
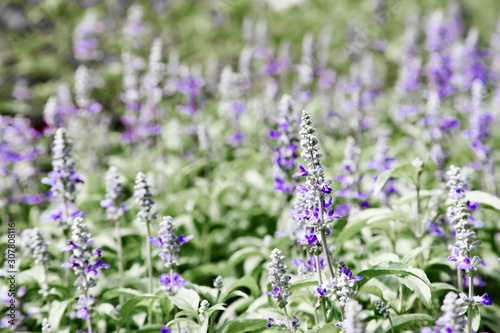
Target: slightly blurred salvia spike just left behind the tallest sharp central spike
287, 145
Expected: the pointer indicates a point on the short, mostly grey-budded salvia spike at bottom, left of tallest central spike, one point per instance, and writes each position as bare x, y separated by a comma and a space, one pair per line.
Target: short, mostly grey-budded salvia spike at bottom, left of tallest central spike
279, 282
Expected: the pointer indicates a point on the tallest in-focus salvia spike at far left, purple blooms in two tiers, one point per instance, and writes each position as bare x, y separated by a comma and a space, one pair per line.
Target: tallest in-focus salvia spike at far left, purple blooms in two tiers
63, 179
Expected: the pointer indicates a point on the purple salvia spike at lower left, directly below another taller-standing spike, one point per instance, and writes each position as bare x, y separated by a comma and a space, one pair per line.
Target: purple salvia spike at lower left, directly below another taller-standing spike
81, 261
